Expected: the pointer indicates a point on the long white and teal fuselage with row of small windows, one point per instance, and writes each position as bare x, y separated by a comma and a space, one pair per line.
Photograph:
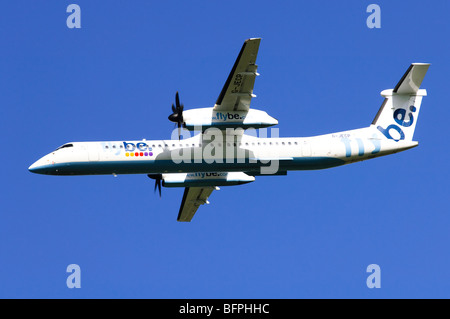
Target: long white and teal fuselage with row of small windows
242, 153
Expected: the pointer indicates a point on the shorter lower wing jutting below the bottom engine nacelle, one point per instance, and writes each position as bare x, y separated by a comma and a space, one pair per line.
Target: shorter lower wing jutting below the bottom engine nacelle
192, 199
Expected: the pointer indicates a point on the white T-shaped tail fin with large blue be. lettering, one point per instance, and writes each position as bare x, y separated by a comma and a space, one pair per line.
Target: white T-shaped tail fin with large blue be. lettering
397, 117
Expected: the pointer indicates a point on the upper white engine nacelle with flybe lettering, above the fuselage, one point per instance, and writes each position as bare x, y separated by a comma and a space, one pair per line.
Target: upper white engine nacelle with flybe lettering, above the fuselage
208, 117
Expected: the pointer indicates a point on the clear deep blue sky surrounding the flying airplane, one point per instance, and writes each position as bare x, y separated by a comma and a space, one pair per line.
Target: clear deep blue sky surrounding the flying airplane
305, 235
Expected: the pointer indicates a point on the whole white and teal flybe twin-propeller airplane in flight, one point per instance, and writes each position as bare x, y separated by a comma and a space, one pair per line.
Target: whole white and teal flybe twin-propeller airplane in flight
225, 153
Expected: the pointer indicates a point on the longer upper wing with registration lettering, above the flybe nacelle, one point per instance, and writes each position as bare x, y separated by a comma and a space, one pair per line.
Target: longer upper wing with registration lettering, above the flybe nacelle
237, 92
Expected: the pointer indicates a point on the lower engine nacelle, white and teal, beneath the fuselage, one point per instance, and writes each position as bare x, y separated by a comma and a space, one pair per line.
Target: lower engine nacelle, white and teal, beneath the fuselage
206, 179
